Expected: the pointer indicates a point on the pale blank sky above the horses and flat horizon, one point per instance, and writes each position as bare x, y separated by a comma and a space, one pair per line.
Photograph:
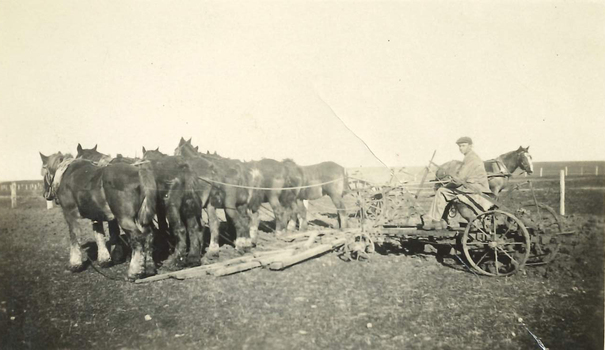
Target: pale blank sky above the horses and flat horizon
361, 83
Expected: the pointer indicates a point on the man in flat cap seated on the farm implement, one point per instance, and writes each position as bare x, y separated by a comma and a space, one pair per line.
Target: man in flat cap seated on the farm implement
469, 179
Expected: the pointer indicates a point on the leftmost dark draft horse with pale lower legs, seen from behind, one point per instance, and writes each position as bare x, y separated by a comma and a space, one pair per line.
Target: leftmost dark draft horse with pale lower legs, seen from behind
119, 192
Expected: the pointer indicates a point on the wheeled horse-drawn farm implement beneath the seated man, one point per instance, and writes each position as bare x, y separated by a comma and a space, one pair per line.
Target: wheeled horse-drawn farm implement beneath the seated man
496, 242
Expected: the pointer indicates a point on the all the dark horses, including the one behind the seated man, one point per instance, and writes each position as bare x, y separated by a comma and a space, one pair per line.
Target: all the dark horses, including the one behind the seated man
130, 194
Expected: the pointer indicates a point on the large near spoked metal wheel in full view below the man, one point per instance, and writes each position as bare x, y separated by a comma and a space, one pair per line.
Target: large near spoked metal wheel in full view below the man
496, 243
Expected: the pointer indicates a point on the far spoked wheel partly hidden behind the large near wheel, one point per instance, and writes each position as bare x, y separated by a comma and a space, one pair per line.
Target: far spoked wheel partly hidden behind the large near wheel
543, 224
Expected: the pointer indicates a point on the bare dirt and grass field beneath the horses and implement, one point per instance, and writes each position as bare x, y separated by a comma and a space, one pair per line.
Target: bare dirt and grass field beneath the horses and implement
397, 300
